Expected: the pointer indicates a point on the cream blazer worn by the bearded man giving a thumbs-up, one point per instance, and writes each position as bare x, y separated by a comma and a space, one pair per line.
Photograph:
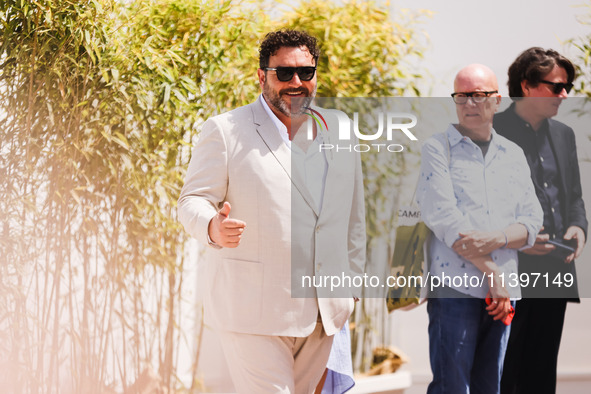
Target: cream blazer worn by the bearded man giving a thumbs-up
241, 158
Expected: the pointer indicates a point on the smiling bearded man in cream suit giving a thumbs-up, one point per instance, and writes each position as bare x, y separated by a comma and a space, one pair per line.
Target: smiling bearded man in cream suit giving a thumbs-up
274, 207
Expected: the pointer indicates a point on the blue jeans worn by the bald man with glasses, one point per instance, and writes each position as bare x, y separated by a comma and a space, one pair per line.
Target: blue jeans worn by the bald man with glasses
466, 347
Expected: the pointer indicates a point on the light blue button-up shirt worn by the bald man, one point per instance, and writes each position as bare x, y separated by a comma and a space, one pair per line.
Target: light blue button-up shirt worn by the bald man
459, 190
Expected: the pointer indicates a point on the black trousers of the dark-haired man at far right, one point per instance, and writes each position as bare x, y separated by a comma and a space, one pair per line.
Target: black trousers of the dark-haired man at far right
532, 352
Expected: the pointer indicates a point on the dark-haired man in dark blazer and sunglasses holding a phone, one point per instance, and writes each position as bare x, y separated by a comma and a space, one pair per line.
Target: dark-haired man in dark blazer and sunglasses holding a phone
538, 82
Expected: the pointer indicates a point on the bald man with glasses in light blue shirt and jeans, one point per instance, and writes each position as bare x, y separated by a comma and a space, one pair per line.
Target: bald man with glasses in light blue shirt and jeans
477, 197
